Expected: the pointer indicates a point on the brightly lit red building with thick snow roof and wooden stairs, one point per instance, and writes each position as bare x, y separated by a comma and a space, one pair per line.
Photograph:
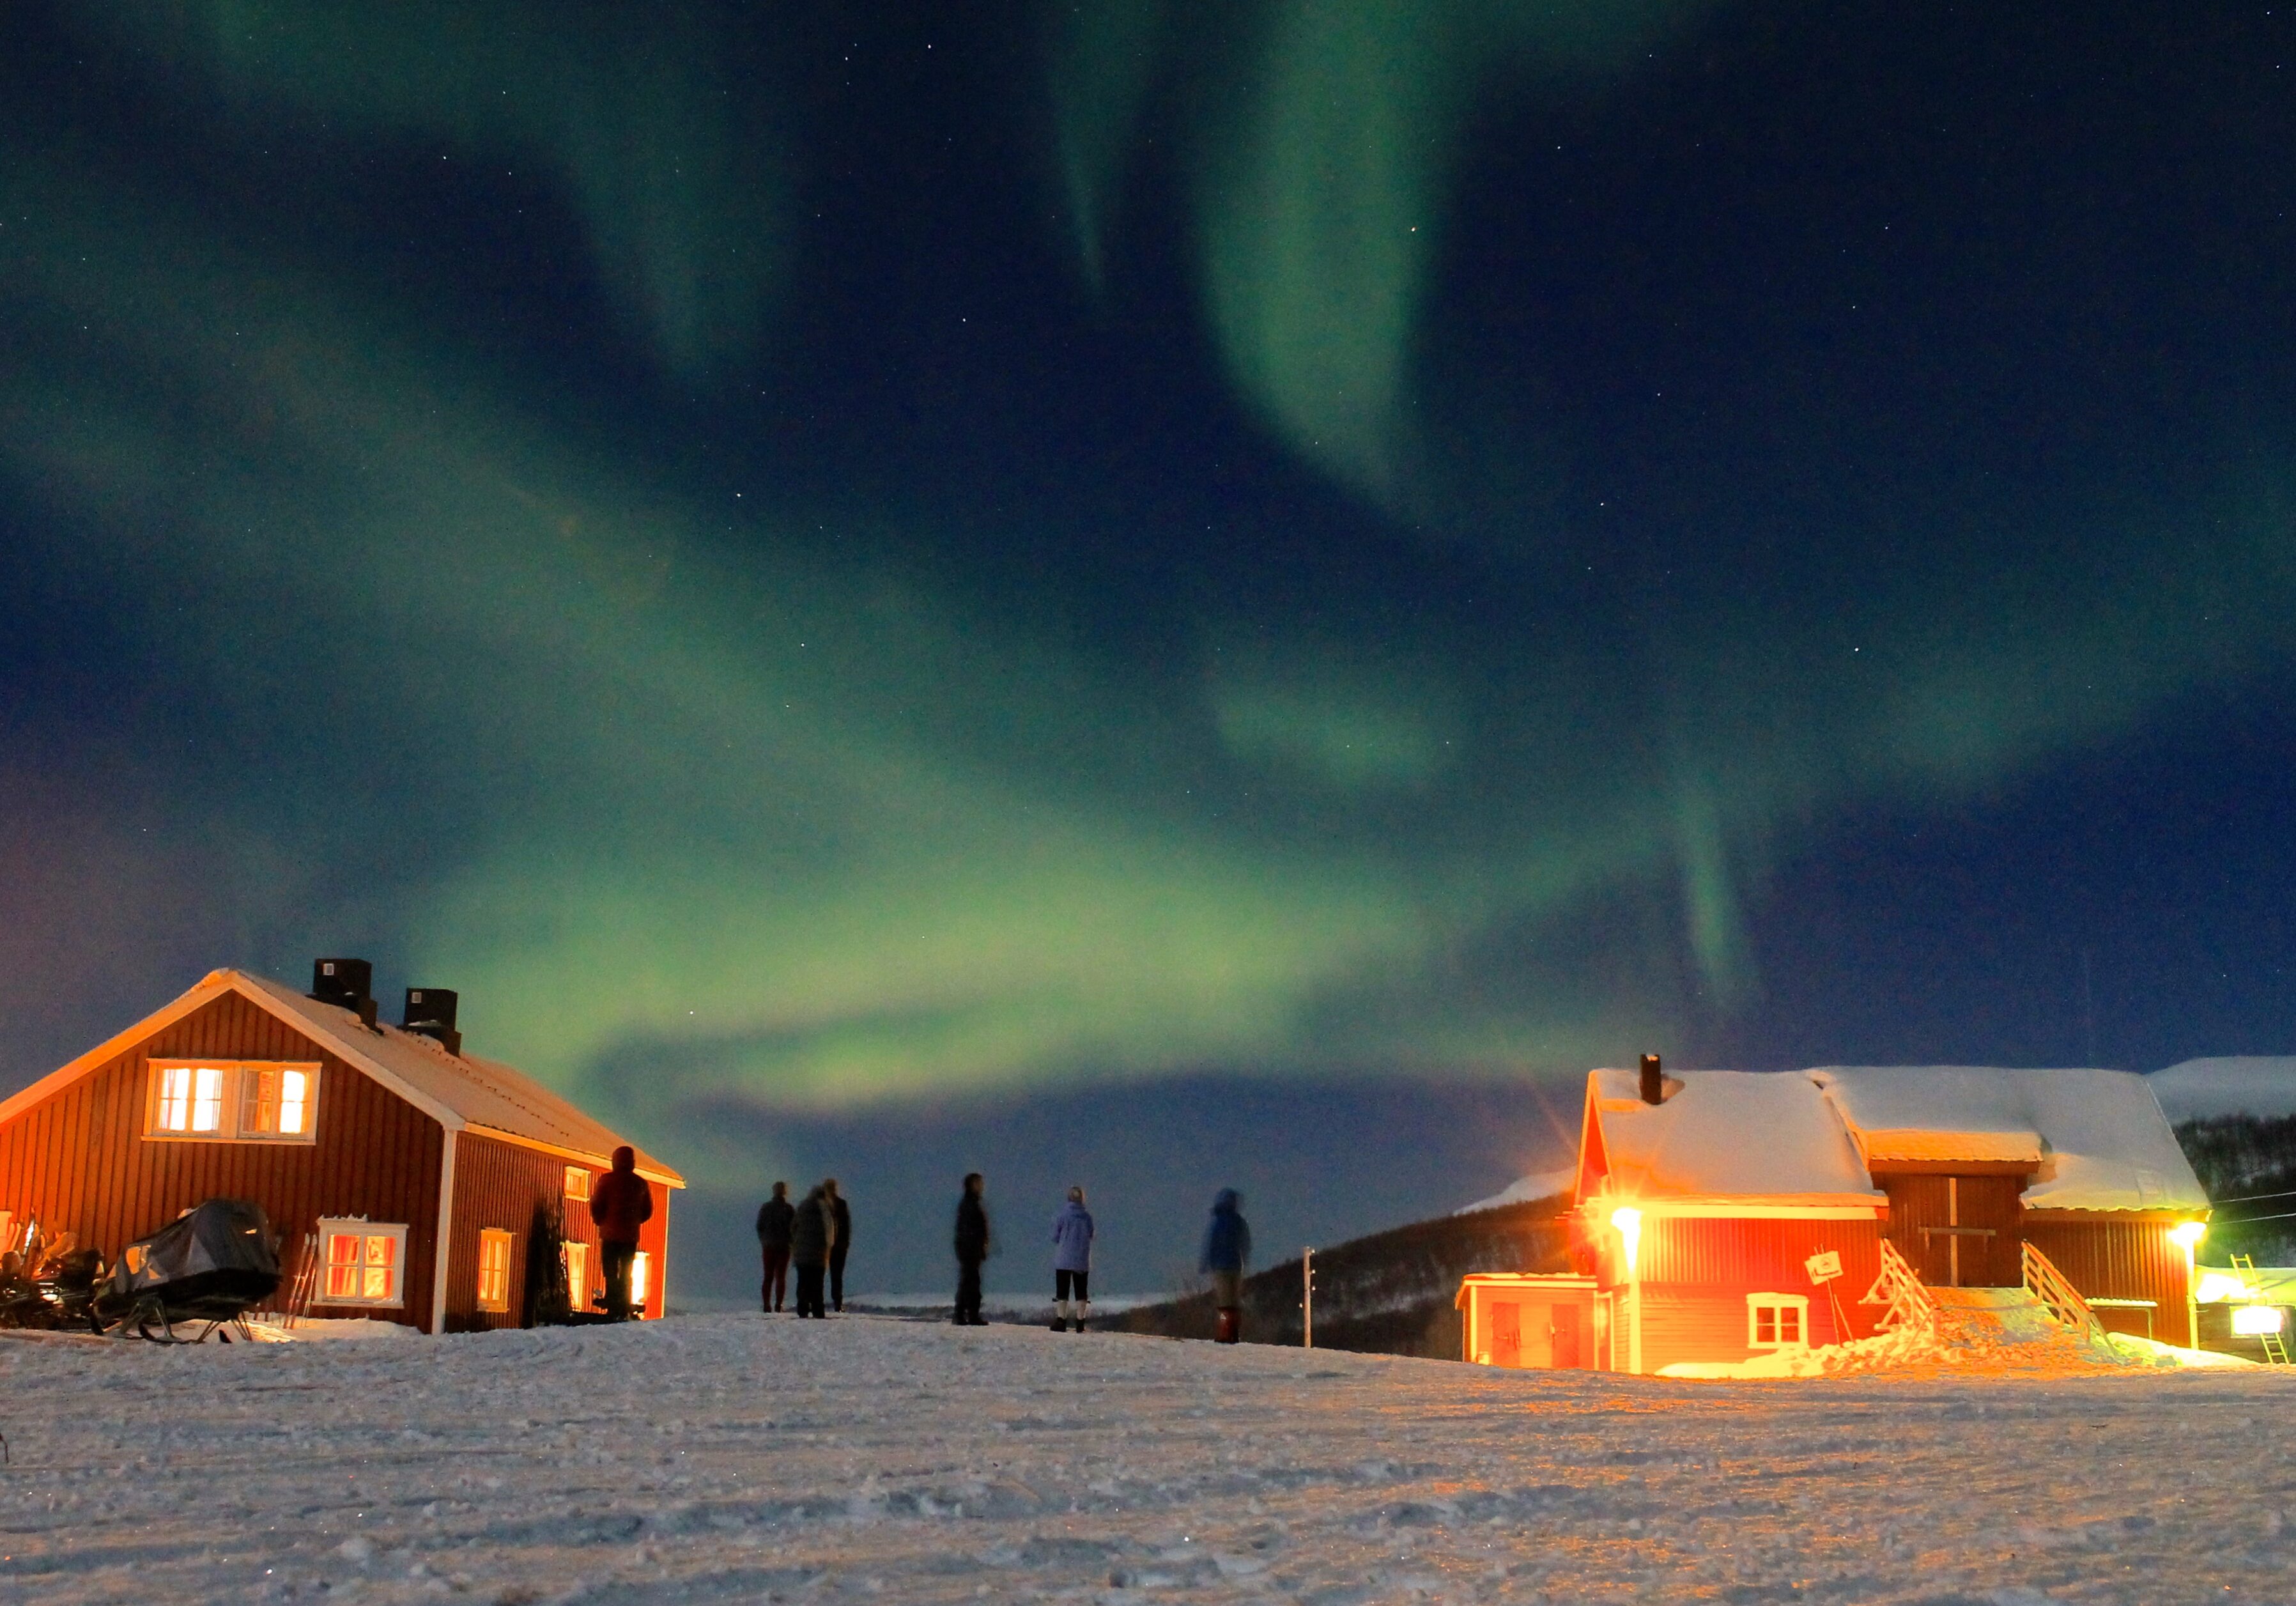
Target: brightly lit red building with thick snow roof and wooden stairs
1728, 1214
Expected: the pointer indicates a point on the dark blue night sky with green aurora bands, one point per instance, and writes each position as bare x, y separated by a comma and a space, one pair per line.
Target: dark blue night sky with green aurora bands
1151, 594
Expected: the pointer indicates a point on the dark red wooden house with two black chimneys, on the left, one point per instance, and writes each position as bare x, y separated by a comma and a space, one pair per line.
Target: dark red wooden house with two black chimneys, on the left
426, 1180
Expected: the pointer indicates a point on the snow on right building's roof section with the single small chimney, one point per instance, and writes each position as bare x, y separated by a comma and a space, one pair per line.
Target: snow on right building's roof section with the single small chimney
1725, 1134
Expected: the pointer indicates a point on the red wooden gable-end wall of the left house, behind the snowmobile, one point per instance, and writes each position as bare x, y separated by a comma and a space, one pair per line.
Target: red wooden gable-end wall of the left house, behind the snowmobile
82, 1164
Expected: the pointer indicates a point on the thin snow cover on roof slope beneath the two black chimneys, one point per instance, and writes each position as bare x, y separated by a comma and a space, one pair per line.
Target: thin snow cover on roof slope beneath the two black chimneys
483, 1092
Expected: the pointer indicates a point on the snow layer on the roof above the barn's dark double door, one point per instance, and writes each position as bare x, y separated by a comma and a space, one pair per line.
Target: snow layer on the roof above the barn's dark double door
2097, 1138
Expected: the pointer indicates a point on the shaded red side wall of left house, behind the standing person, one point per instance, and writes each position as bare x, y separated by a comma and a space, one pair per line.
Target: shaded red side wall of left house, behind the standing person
499, 1187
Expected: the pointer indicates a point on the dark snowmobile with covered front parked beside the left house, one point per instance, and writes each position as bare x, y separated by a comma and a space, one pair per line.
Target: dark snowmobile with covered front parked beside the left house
212, 1265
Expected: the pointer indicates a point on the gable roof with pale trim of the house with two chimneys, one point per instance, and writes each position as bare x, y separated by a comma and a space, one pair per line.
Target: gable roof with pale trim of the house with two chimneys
463, 1092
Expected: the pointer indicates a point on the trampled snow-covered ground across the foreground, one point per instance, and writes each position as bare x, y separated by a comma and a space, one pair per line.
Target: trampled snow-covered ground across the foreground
747, 1460
